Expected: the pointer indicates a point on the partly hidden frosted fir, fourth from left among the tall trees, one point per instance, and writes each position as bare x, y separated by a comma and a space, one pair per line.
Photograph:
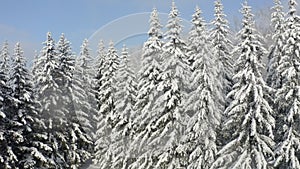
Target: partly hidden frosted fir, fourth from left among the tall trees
222, 47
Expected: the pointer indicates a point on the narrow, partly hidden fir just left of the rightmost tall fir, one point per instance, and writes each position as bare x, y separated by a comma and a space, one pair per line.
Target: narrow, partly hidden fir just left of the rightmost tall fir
276, 50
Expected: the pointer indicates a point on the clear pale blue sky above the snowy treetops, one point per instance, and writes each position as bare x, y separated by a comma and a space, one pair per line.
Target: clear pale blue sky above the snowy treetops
28, 21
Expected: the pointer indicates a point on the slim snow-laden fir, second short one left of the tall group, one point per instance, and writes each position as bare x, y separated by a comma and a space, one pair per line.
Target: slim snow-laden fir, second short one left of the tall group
107, 110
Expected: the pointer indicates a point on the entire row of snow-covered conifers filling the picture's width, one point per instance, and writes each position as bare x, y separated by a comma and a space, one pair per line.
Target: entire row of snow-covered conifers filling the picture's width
212, 100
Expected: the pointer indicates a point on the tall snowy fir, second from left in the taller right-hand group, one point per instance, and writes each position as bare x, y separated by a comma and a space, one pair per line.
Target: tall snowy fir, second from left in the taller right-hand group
159, 139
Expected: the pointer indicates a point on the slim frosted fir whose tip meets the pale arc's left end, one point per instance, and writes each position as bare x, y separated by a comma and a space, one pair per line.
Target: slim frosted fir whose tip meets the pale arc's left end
82, 92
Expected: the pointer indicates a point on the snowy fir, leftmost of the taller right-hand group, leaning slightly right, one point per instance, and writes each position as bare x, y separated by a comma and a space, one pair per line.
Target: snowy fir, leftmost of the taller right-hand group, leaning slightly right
147, 82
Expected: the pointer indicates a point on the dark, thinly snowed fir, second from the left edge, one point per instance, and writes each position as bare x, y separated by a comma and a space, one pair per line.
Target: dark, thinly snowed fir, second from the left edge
24, 120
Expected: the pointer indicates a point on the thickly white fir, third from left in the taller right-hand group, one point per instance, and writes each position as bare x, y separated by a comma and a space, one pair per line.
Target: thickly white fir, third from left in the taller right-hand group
199, 142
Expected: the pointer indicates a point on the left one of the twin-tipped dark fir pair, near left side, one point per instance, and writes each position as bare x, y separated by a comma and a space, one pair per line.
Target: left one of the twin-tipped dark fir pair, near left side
49, 96
